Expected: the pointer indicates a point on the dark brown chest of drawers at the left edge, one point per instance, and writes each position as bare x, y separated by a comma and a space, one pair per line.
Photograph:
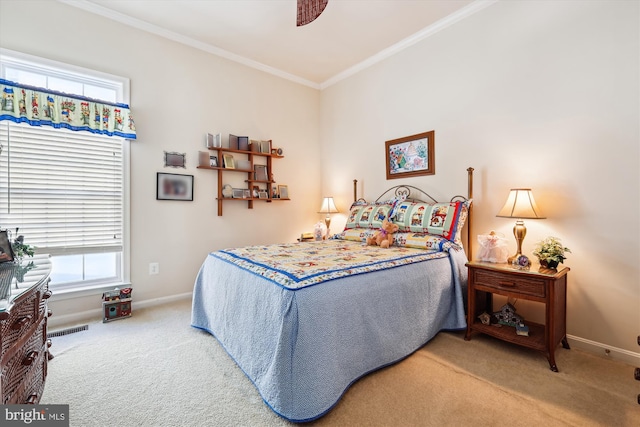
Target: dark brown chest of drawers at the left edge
24, 348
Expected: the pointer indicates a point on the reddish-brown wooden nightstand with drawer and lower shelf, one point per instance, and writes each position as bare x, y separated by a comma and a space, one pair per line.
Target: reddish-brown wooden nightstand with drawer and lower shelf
545, 286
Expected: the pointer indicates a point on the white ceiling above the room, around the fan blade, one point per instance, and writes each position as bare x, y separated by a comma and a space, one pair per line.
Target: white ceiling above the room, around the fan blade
348, 36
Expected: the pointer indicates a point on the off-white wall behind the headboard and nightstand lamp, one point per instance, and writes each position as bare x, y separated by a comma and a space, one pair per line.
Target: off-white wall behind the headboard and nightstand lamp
531, 94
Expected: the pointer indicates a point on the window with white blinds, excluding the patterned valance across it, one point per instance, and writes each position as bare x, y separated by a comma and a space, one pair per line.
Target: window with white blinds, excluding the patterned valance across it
64, 189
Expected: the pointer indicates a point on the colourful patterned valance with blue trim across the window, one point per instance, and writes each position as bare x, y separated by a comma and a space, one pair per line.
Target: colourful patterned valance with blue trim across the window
37, 106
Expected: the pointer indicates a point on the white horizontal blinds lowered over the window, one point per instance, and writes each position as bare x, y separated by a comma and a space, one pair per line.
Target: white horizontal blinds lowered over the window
63, 189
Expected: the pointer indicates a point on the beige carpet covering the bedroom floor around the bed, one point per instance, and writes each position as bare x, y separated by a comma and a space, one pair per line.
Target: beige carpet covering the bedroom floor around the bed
153, 369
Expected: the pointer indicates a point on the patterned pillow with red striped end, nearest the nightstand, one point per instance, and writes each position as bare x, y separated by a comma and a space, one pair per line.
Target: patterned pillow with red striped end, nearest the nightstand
438, 219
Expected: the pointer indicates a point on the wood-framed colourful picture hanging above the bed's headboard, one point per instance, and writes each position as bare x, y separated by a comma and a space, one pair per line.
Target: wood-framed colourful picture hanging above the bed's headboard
411, 156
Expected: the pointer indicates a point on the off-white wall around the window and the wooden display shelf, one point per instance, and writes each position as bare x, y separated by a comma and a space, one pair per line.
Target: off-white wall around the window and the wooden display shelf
178, 94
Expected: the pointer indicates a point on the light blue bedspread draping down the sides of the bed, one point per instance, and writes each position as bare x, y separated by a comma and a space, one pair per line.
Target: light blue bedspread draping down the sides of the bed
303, 347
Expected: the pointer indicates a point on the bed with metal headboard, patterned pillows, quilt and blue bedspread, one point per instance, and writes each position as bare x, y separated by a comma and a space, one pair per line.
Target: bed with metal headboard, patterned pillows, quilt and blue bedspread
305, 320
